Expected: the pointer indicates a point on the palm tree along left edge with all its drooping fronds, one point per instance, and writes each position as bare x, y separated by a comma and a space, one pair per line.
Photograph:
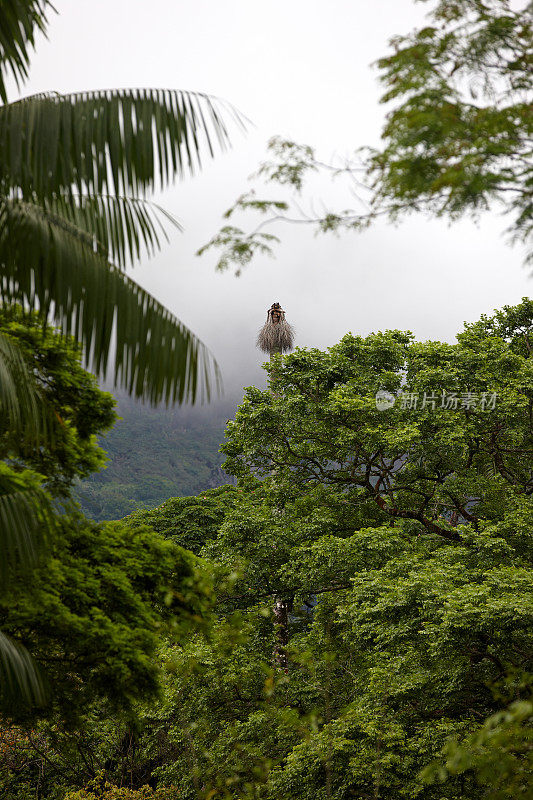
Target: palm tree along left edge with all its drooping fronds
75, 172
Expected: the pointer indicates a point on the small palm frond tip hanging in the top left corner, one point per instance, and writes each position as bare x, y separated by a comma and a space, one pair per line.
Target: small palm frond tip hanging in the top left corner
20, 20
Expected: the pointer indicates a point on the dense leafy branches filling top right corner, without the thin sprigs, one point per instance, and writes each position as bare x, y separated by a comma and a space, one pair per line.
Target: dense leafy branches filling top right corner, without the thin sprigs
459, 139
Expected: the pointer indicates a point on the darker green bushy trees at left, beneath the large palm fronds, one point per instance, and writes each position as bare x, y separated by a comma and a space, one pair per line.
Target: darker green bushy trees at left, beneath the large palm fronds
86, 601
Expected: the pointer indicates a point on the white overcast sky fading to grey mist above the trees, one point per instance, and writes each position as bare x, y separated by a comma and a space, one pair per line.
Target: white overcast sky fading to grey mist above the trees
300, 69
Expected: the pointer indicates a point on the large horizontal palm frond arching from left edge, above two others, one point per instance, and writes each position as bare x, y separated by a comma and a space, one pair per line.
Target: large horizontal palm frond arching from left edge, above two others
115, 142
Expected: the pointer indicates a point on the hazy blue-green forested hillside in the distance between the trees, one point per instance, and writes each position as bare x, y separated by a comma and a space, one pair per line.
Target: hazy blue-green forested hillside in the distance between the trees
154, 454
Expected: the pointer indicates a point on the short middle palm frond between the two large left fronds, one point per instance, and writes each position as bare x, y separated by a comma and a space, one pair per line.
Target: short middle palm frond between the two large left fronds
122, 228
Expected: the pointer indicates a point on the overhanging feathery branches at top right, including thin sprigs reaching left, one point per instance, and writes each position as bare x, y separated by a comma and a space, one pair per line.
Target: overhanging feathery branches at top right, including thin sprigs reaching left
456, 141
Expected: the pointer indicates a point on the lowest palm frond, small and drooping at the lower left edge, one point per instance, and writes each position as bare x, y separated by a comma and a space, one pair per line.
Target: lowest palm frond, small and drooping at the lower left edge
19, 676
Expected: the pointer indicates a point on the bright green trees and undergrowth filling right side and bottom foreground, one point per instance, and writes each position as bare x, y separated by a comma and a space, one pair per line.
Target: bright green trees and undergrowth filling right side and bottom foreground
400, 542
